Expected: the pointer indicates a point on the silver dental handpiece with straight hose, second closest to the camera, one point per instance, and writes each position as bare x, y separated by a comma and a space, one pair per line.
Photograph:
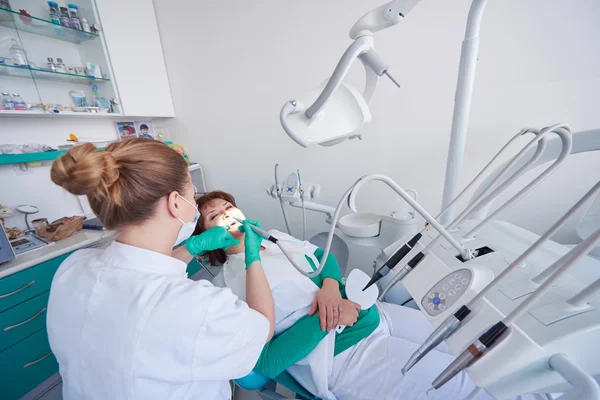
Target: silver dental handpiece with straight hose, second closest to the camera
454, 321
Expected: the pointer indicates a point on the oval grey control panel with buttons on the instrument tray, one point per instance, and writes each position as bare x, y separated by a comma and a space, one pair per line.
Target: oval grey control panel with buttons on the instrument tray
446, 292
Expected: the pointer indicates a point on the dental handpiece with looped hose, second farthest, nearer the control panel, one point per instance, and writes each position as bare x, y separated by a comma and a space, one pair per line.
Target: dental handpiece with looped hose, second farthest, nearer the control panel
562, 130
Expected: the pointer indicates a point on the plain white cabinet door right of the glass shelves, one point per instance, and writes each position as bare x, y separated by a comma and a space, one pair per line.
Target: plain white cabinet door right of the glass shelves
131, 33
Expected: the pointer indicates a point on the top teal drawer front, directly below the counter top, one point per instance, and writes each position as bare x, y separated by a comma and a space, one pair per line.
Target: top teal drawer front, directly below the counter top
17, 288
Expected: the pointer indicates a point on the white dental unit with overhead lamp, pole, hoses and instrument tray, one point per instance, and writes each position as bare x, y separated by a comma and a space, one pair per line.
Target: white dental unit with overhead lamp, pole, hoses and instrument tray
486, 286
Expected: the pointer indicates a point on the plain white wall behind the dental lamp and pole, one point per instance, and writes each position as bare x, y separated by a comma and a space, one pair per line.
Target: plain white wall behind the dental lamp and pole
233, 64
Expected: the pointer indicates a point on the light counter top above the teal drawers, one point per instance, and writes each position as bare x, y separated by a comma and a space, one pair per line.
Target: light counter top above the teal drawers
81, 239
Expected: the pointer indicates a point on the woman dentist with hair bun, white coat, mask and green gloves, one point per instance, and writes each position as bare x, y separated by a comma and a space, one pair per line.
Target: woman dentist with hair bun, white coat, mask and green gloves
125, 322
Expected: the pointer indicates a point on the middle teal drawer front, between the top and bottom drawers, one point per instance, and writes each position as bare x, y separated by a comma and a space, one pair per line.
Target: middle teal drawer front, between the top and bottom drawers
22, 320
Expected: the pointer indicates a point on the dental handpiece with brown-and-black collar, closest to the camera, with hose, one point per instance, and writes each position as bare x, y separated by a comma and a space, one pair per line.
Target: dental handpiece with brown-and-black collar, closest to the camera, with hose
478, 348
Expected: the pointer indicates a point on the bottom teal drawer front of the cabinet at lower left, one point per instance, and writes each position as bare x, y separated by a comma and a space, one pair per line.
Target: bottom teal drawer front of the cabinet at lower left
25, 365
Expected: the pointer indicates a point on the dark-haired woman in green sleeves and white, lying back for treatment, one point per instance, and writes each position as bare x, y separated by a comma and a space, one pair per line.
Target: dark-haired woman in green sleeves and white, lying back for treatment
364, 360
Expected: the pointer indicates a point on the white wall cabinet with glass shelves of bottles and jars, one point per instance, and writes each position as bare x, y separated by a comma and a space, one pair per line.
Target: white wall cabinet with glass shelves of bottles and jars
107, 52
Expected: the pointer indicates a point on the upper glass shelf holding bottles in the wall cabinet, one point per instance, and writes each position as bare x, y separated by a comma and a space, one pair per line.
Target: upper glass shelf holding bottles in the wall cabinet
12, 19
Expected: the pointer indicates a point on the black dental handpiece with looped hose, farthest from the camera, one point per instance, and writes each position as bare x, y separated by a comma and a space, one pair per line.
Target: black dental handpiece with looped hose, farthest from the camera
404, 250
